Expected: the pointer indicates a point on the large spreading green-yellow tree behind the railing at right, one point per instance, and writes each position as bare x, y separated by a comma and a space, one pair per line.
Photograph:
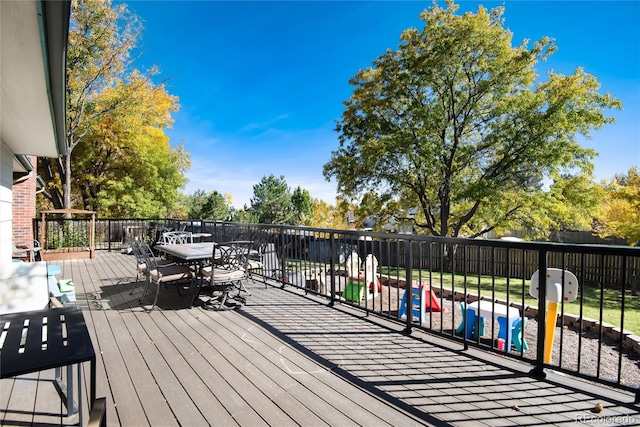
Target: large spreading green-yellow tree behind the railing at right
455, 124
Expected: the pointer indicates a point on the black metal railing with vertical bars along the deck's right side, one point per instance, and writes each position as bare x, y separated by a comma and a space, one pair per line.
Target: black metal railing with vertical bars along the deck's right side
595, 336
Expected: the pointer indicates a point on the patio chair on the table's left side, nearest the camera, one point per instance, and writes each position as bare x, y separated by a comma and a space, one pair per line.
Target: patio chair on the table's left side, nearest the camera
161, 274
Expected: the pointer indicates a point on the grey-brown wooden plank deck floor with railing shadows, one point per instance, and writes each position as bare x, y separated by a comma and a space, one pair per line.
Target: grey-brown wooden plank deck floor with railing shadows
283, 359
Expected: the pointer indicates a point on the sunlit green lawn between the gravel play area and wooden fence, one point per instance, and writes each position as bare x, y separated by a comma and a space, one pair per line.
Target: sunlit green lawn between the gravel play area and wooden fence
591, 296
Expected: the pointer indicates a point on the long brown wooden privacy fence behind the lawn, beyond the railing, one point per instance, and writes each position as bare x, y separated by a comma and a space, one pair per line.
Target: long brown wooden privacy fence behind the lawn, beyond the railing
471, 256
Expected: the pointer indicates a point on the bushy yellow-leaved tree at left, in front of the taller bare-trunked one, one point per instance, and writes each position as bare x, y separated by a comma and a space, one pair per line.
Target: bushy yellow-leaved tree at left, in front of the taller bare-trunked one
126, 163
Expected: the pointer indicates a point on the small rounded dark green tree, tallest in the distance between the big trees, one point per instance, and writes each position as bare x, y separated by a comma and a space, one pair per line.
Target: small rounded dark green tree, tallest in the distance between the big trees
271, 201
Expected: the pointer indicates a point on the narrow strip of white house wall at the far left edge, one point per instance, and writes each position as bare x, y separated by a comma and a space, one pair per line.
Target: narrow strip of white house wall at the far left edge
6, 198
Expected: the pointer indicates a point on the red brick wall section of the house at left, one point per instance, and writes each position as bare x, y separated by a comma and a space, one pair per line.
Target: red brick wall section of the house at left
24, 207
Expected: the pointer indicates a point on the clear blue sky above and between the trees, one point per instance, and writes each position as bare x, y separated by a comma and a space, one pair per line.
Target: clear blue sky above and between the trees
261, 84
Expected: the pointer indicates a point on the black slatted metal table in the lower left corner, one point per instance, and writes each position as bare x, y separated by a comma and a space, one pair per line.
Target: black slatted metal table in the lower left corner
33, 341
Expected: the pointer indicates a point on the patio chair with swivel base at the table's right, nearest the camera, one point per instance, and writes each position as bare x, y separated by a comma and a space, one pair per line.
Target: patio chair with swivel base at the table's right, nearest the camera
226, 272
